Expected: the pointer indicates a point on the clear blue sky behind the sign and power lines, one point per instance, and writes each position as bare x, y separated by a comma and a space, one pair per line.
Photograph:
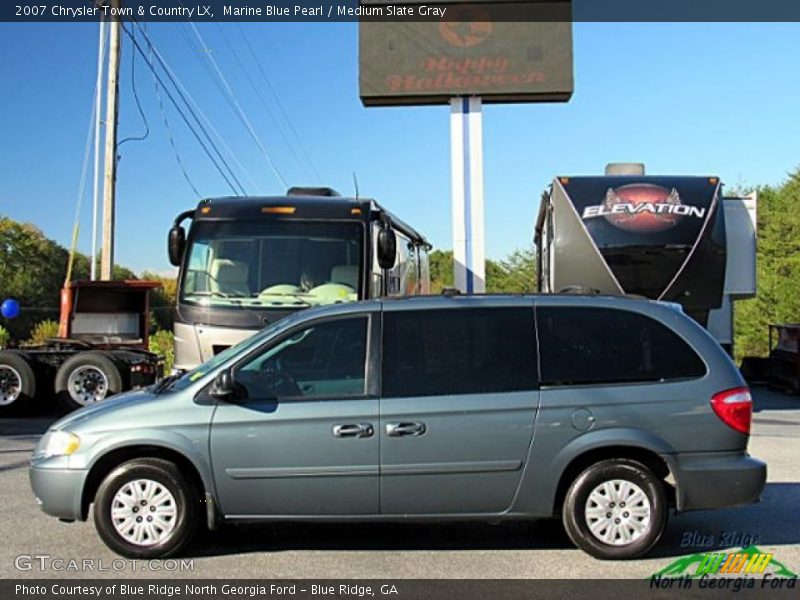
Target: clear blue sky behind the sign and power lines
683, 98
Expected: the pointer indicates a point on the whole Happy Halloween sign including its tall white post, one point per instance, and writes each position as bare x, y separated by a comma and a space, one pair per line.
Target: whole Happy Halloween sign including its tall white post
475, 52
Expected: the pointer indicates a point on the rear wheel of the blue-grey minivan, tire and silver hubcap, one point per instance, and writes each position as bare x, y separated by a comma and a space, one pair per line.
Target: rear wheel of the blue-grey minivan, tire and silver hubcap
643, 522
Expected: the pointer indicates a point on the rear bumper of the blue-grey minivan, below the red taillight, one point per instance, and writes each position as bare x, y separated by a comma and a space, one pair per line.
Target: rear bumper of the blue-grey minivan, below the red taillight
717, 480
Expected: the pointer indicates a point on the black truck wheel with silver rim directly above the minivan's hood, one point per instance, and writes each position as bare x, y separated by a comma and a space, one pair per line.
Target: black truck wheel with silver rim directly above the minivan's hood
87, 378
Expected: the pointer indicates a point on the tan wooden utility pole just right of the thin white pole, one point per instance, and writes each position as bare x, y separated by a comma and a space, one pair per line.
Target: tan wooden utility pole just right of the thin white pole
110, 178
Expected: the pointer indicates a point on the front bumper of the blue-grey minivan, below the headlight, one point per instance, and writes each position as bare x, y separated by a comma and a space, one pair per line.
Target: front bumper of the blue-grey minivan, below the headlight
58, 491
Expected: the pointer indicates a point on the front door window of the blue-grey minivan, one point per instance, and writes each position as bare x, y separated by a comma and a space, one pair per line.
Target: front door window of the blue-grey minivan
324, 360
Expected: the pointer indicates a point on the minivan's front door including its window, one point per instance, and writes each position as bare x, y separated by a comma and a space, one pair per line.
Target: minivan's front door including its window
302, 438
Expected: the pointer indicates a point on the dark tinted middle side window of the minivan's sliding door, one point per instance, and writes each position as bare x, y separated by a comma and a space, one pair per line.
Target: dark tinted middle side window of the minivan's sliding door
463, 351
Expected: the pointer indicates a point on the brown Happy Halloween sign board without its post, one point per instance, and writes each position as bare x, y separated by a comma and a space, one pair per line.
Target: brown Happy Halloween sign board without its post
469, 49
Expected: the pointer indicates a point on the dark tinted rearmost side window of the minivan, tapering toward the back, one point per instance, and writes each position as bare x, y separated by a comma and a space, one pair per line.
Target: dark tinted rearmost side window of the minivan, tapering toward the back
599, 345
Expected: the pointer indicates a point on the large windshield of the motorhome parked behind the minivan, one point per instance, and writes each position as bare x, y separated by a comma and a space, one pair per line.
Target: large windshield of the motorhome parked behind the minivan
272, 263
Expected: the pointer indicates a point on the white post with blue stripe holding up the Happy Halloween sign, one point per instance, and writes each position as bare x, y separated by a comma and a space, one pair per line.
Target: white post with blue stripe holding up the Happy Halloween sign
466, 171
